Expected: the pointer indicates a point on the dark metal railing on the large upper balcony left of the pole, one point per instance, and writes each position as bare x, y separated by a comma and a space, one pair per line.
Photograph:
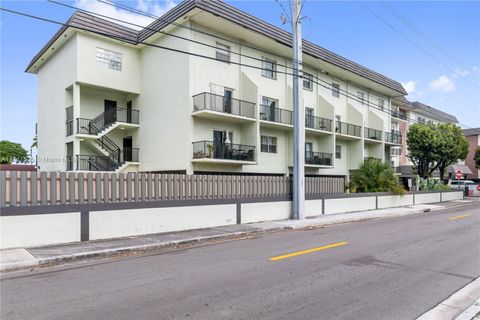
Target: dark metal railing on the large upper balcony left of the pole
214, 102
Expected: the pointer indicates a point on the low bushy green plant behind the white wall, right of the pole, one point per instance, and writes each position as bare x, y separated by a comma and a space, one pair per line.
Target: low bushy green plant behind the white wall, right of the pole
375, 176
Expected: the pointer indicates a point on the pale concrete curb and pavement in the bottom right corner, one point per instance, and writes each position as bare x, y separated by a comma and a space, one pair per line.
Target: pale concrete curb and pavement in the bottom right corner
457, 306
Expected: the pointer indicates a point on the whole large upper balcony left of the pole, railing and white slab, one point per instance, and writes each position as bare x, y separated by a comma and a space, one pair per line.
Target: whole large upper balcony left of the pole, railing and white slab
213, 106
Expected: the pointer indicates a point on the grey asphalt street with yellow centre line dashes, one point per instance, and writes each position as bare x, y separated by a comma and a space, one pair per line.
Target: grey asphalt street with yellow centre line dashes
392, 268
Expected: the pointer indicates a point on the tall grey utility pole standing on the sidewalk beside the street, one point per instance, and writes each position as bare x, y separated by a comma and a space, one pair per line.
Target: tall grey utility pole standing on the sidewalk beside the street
298, 116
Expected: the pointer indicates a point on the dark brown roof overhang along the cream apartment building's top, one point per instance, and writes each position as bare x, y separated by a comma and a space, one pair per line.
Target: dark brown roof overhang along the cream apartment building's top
238, 24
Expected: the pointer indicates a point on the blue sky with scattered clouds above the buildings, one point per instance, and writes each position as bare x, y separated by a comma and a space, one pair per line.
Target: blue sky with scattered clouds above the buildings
439, 64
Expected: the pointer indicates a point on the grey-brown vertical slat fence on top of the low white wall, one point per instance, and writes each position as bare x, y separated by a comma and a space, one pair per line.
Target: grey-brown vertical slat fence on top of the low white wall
62, 188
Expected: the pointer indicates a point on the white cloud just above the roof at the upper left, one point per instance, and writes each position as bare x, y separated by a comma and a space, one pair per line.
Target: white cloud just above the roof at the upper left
152, 7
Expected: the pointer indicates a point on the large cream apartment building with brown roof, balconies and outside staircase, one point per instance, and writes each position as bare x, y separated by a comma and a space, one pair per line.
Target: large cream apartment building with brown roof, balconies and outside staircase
116, 99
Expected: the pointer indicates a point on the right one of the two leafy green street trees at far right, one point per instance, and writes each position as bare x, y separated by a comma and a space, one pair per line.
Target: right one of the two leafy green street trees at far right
453, 146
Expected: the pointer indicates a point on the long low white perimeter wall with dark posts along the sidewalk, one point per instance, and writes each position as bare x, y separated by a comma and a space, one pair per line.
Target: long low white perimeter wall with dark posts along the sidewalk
45, 229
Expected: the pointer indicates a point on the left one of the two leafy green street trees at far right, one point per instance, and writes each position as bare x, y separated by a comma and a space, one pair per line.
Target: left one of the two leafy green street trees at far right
423, 143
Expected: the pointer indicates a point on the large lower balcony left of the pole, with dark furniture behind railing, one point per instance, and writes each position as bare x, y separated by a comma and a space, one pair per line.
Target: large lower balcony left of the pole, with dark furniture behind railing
209, 151
